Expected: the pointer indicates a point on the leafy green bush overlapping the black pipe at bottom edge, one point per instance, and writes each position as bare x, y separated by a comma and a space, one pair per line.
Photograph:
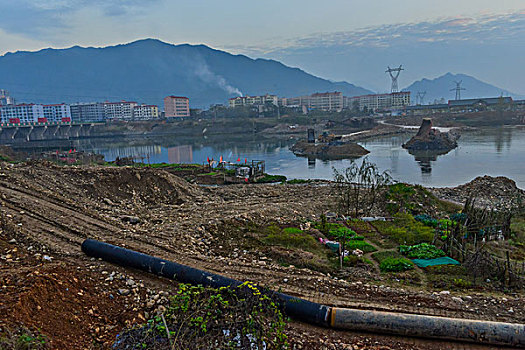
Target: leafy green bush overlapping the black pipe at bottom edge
208, 318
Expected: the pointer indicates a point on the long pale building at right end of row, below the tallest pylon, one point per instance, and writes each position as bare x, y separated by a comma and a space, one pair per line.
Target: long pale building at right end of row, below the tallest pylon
380, 102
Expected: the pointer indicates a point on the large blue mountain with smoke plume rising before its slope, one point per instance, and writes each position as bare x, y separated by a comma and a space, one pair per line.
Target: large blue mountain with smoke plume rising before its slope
148, 70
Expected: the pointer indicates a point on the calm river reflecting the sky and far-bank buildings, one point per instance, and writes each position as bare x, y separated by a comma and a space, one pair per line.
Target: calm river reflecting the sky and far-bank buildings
491, 151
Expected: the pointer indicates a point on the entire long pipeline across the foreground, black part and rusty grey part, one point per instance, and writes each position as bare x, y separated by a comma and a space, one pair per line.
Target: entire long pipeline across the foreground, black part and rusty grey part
484, 332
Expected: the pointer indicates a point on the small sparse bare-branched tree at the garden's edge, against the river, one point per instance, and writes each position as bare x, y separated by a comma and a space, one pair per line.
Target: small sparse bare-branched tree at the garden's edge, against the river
359, 188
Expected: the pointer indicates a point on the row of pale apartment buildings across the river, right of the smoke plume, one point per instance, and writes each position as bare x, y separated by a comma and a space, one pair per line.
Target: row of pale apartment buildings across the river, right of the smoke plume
330, 101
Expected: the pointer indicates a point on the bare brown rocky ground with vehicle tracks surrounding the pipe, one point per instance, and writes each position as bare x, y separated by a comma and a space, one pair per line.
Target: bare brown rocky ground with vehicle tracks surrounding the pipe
47, 283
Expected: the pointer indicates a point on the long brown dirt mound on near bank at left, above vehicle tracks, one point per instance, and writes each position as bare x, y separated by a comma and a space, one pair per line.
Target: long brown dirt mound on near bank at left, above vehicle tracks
142, 186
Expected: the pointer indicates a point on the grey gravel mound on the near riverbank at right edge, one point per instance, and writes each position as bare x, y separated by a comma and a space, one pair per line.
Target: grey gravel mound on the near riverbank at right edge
489, 192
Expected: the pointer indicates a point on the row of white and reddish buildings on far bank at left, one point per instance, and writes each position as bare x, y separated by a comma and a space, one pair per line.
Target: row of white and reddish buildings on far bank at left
12, 113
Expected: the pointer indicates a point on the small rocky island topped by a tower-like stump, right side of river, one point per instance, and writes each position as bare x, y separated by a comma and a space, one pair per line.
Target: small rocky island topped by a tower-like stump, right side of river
429, 139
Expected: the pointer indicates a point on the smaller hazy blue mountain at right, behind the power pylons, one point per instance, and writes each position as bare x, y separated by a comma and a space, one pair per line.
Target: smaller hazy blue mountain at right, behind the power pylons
440, 87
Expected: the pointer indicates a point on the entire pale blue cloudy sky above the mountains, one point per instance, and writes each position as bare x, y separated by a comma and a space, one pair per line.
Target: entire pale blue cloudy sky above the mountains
352, 40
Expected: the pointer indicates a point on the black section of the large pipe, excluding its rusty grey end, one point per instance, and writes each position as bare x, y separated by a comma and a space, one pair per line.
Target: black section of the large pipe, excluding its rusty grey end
294, 307
